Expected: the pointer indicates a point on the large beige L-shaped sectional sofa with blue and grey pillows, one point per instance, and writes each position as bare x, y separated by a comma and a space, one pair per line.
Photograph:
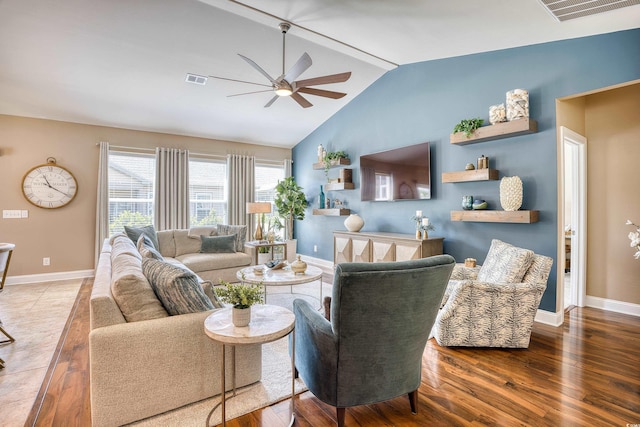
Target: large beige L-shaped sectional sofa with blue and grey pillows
143, 368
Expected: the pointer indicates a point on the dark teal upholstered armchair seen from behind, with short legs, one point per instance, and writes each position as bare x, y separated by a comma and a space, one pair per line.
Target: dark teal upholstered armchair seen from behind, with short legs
371, 350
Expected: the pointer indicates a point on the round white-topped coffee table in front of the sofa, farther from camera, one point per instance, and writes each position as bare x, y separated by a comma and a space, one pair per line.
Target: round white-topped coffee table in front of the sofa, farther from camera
282, 277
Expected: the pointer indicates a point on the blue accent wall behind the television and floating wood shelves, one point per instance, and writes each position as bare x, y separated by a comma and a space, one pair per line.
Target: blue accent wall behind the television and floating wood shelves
423, 102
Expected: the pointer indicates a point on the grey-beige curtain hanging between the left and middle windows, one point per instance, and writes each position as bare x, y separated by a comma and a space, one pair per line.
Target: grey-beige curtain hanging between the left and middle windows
171, 201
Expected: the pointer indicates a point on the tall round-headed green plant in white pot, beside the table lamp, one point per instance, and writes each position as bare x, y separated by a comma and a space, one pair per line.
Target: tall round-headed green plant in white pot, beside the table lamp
290, 203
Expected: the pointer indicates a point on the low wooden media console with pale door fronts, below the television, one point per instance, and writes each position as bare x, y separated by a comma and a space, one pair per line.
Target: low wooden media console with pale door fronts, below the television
378, 247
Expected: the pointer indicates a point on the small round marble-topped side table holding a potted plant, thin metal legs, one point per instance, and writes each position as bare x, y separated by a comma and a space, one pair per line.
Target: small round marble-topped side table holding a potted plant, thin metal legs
268, 323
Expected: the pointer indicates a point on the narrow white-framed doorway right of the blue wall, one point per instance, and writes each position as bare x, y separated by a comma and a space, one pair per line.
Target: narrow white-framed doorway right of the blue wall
574, 212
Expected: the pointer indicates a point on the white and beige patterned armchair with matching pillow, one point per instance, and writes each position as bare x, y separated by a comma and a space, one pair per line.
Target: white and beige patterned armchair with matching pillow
493, 305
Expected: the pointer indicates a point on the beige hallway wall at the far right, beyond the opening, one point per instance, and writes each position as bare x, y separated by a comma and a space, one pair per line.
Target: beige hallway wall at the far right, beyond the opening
612, 123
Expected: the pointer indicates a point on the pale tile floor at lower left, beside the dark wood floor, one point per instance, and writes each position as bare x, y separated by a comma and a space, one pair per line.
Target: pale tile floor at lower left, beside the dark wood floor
35, 315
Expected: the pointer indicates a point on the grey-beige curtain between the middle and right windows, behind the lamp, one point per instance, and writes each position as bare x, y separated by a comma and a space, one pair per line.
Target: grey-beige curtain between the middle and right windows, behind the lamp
242, 189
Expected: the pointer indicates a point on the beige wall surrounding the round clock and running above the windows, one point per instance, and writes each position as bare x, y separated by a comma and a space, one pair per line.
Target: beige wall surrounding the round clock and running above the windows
66, 235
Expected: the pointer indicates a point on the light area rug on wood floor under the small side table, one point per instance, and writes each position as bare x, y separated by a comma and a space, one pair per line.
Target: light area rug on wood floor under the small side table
274, 387
